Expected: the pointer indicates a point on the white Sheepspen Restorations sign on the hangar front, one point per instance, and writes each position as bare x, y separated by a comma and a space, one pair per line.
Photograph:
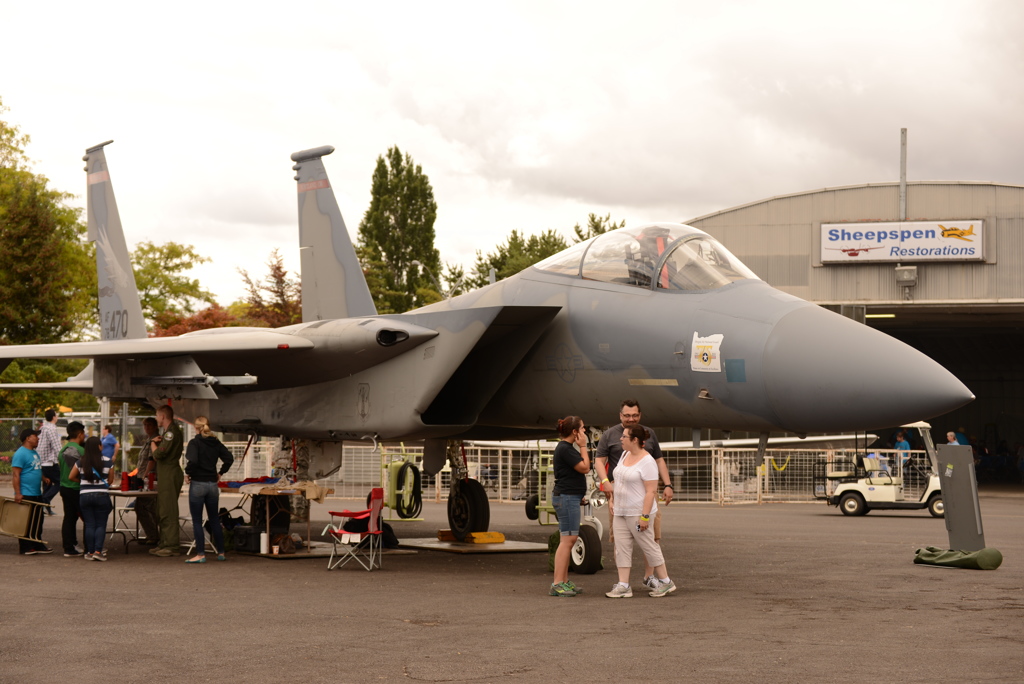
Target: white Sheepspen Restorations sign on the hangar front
903, 241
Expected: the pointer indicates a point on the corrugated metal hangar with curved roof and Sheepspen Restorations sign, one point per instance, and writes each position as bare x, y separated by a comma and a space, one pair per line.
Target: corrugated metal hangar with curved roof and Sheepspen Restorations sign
949, 279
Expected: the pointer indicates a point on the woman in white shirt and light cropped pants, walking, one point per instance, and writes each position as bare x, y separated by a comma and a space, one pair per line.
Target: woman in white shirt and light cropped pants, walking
636, 491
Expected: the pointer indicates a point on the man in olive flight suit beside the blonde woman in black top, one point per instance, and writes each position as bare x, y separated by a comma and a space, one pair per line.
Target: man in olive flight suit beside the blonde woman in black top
166, 449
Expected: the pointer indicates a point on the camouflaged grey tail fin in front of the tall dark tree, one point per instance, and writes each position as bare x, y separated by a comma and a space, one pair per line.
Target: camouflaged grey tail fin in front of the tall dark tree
333, 286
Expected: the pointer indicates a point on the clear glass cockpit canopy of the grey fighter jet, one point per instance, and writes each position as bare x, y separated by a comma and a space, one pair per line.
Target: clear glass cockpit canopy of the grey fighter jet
662, 256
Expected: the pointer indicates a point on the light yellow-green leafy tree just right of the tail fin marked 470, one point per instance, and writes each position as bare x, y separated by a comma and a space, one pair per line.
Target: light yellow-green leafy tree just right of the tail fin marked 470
162, 283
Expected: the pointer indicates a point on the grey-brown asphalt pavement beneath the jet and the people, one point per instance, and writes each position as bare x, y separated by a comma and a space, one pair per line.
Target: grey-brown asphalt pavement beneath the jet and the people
772, 593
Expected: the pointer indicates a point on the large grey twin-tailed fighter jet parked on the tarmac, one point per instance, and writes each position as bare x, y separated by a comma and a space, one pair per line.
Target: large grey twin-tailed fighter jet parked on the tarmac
661, 313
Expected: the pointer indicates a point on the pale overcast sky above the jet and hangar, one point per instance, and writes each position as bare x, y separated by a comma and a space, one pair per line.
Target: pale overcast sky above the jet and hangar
524, 115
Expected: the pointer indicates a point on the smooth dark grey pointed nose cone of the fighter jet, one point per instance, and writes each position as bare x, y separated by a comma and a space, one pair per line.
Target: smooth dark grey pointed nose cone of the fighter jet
825, 372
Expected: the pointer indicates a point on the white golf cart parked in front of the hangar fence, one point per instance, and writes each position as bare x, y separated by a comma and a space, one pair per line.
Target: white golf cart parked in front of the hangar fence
872, 484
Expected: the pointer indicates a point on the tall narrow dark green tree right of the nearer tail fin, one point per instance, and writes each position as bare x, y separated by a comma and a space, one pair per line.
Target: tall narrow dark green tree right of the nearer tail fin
398, 230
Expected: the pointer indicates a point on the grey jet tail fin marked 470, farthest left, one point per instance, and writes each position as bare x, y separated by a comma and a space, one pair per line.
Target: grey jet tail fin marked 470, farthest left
120, 311
